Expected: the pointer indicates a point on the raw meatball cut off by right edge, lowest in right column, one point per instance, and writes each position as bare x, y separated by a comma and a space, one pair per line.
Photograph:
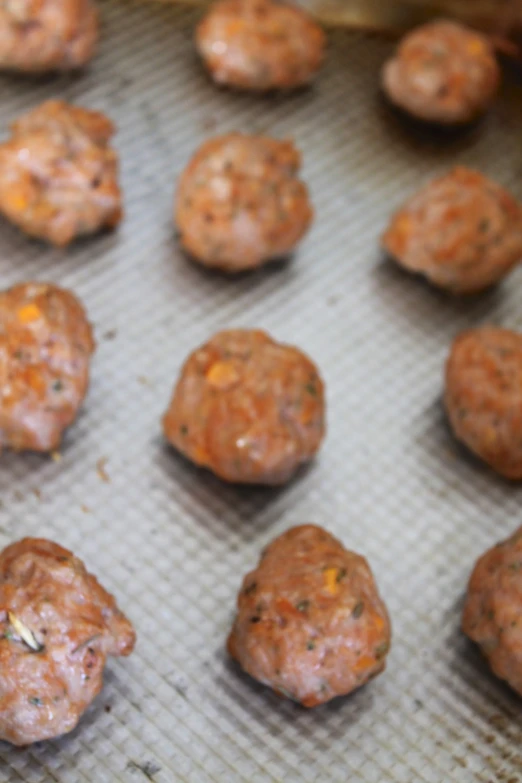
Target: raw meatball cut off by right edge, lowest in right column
492, 612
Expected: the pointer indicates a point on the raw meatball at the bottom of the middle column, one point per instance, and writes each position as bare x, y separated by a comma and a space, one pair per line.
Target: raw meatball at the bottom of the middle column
310, 622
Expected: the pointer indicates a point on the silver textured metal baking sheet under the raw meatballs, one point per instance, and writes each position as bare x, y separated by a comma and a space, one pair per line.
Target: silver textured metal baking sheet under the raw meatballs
171, 541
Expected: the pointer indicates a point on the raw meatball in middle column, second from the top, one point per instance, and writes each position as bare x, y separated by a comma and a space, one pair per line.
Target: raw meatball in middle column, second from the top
240, 202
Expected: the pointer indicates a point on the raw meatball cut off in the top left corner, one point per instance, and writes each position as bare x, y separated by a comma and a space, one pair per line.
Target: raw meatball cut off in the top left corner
47, 35
